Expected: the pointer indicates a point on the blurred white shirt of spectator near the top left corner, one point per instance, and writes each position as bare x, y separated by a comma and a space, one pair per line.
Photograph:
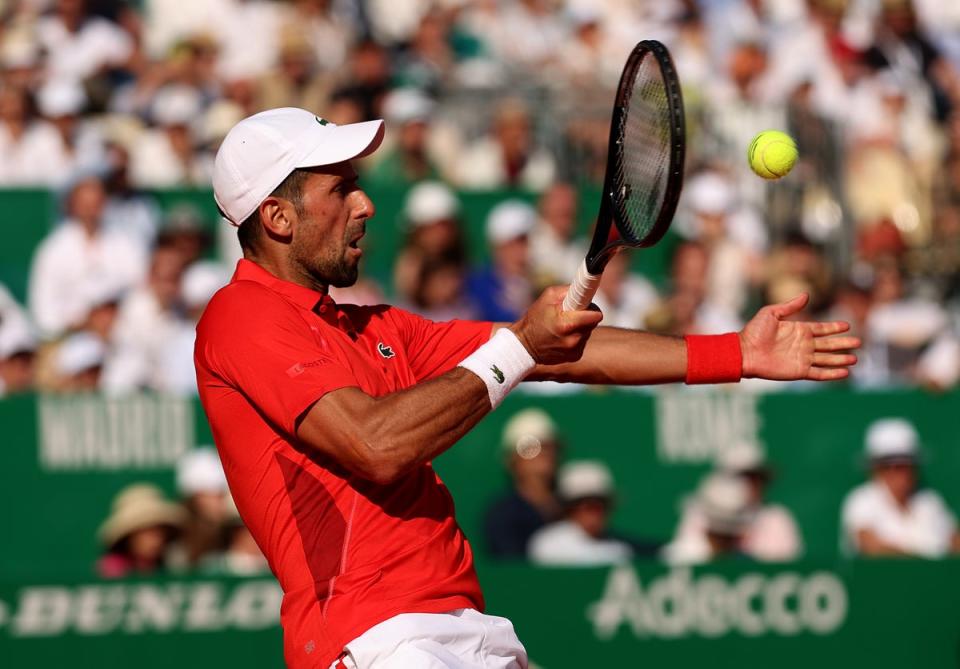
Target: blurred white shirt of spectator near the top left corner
78, 55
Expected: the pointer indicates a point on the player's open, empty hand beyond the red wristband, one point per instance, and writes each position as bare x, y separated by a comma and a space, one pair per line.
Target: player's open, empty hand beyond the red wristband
783, 350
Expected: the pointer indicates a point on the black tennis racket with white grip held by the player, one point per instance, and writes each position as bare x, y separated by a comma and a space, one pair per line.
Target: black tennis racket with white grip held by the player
644, 166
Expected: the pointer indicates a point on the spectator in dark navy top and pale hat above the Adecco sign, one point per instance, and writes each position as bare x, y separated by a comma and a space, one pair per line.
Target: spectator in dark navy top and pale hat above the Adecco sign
531, 448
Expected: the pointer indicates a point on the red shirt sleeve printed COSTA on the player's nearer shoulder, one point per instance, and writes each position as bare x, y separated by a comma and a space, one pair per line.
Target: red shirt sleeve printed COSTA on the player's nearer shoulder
258, 344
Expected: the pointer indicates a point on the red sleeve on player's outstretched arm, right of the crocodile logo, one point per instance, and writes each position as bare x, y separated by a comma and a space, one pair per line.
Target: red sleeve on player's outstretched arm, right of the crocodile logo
436, 348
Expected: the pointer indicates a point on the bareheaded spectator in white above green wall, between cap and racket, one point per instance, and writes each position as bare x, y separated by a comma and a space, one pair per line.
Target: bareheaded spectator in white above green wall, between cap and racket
508, 157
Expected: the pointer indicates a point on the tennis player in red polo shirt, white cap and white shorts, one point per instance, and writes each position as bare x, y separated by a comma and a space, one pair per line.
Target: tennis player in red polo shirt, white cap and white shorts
328, 416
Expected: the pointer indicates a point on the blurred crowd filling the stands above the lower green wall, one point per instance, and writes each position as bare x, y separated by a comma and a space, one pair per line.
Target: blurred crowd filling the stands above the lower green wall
104, 101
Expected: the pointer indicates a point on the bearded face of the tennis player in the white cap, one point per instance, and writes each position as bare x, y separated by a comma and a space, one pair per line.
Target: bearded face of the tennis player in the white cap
334, 215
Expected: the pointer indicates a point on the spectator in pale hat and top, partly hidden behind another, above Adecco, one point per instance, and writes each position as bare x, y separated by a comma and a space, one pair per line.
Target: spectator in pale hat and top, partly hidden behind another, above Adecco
769, 532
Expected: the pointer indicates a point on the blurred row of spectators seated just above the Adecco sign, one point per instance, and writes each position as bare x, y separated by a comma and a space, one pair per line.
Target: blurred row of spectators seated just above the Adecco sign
560, 512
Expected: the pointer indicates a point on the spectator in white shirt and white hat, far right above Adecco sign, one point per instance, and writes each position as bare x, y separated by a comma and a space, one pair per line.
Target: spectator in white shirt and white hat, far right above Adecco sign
892, 514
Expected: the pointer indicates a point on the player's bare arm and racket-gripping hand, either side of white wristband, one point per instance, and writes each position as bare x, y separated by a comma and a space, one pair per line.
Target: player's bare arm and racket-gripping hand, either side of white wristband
383, 438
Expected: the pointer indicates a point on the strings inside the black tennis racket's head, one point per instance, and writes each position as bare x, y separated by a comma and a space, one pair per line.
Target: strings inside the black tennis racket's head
641, 180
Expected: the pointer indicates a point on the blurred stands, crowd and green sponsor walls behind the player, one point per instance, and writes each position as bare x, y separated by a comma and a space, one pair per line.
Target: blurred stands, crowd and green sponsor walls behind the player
725, 527
